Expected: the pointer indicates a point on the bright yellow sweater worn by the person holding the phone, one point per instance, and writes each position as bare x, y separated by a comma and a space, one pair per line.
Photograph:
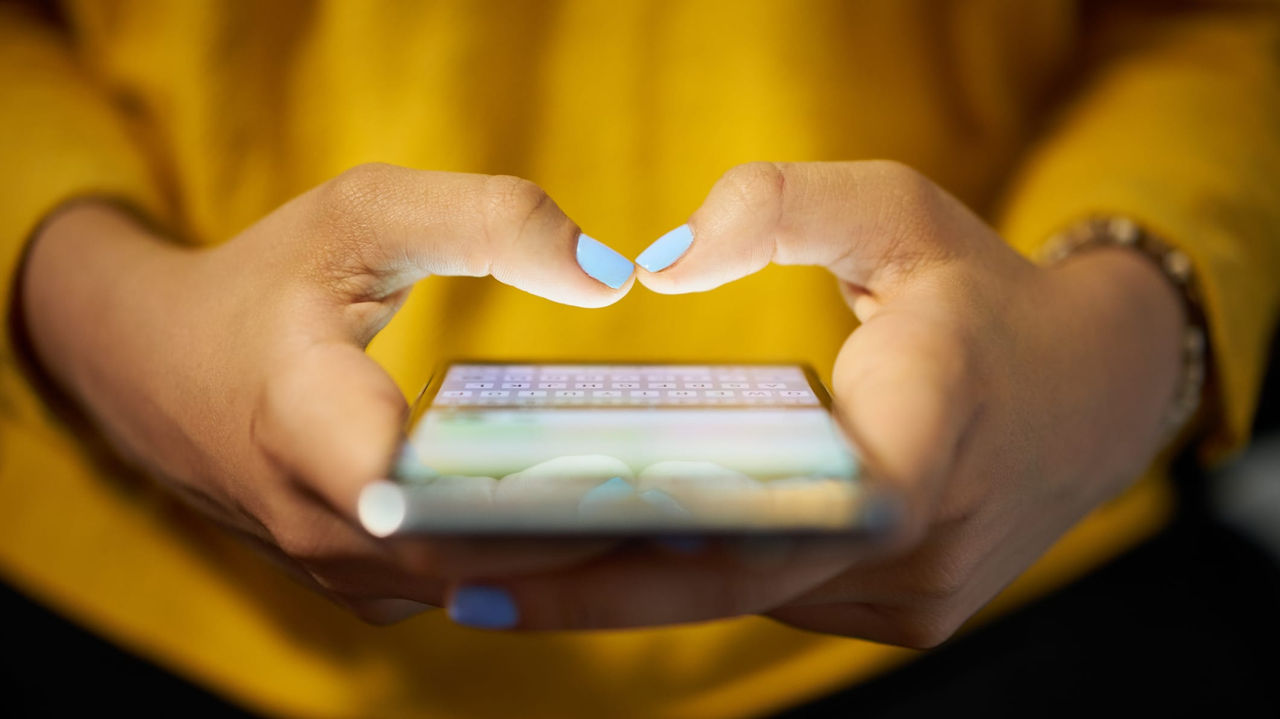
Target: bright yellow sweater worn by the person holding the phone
209, 115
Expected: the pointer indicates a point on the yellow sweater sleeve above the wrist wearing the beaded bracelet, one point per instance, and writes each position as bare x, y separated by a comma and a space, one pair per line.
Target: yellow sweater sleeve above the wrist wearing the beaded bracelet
1178, 127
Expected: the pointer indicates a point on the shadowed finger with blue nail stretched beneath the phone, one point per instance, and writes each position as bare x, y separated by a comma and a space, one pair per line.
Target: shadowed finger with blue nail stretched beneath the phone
642, 588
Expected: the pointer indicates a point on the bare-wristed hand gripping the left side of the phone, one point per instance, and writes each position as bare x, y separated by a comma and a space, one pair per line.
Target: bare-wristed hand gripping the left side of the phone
237, 375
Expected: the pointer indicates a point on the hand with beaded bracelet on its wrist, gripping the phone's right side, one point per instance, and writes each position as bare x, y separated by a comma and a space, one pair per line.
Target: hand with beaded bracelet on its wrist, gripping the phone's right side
1003, 401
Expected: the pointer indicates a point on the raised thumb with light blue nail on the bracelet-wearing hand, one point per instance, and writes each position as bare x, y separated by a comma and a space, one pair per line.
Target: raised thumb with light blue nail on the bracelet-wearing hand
867, 222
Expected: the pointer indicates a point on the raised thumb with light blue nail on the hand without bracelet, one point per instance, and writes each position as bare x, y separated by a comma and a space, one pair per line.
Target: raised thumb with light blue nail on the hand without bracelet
400, 226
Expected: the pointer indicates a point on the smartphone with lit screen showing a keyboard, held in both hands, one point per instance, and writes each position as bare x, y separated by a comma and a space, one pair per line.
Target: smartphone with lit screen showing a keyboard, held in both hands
624, 450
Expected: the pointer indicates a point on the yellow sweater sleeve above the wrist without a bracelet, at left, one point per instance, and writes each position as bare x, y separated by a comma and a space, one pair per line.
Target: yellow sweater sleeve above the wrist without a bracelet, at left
60, 140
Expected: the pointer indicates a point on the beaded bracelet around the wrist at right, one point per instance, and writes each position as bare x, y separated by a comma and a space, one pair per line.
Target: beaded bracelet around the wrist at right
1123, 232
